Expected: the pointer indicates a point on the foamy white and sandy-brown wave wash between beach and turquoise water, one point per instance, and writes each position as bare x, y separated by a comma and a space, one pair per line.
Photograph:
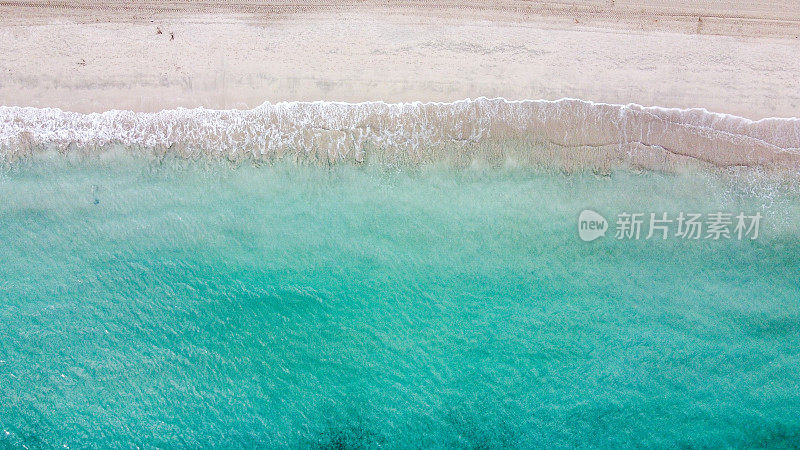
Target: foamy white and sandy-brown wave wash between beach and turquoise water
569, 132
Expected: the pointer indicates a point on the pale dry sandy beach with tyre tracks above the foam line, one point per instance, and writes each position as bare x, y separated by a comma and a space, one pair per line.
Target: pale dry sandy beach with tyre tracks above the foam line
144, 56
